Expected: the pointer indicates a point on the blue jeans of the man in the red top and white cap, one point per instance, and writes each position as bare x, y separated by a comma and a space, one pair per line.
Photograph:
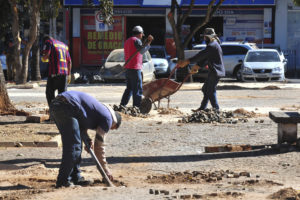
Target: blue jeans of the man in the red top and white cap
134, 87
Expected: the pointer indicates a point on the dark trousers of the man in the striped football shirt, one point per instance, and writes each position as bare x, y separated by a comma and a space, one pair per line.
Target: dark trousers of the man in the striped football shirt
55, 83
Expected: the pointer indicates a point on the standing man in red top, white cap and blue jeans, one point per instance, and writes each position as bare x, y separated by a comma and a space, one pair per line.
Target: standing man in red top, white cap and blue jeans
134, 66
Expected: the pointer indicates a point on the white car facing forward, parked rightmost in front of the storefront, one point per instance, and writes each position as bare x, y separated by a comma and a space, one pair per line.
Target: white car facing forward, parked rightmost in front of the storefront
262, 65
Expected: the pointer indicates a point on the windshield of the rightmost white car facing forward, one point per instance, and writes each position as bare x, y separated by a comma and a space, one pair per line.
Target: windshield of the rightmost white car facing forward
262, 57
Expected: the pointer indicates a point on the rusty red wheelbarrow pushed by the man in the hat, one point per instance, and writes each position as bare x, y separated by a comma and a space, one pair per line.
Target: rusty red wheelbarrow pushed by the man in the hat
159, 89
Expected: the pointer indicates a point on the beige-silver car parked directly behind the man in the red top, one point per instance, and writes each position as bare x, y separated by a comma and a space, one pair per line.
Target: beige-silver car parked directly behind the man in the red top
112, 69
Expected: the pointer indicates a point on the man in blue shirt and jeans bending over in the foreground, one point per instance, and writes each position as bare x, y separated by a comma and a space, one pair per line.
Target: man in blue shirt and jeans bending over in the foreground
74, 113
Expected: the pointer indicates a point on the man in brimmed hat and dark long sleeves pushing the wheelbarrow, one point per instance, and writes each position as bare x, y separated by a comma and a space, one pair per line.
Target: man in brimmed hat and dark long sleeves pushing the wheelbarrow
212, 56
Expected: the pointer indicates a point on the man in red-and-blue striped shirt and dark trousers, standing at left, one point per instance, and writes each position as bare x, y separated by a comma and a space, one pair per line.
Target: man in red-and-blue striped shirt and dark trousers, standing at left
56, 53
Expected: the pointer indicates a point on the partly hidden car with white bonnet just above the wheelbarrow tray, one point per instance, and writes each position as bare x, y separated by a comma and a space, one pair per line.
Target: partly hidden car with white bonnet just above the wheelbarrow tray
160, 60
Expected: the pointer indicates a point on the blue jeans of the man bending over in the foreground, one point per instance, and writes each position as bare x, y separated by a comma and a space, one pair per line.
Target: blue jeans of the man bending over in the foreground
66, 120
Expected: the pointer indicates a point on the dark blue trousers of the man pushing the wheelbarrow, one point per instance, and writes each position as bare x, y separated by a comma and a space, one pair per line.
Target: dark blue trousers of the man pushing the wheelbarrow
209, 91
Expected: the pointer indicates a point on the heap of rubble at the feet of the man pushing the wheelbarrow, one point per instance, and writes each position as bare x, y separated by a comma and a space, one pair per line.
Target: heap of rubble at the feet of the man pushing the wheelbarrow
213, 115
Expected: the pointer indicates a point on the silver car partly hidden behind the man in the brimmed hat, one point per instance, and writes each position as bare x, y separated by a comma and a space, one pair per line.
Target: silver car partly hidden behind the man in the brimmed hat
233, 52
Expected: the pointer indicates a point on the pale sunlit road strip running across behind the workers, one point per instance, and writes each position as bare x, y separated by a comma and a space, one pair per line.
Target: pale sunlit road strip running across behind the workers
260, 97
